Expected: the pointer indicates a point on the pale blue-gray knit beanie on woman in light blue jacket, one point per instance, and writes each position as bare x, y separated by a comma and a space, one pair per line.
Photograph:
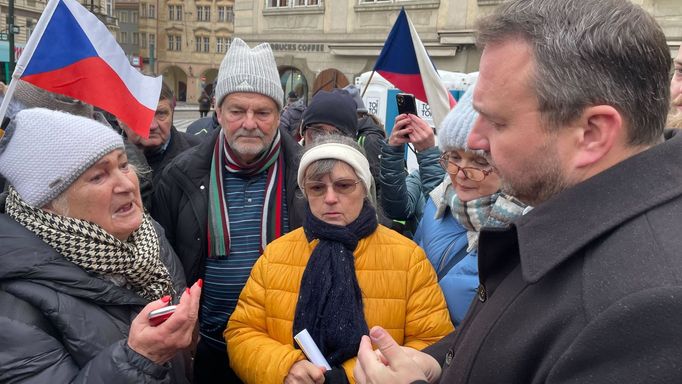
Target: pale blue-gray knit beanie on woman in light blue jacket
457, 125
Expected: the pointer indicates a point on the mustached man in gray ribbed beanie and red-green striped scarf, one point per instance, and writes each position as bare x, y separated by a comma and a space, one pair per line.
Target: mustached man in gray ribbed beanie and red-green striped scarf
246, 170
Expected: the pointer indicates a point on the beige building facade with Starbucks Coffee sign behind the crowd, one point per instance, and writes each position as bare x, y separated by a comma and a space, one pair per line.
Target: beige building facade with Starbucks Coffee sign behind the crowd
322, 44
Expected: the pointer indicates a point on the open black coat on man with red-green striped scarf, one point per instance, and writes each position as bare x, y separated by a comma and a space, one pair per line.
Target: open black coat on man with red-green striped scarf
181, 200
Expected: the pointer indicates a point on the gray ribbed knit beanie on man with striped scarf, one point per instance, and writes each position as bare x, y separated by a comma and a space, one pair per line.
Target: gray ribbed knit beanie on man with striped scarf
251, 70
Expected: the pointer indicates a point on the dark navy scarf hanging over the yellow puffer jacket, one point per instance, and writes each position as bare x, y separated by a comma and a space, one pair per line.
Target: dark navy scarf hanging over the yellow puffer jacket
330, 300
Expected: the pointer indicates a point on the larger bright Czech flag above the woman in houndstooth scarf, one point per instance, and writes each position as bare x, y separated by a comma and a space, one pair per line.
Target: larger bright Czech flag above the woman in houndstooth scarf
72, 53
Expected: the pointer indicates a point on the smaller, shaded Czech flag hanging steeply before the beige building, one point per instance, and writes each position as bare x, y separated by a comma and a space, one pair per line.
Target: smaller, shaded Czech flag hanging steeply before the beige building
404, 62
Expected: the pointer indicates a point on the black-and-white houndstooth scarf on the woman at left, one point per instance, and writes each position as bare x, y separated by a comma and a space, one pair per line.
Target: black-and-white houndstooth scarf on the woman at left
95, 250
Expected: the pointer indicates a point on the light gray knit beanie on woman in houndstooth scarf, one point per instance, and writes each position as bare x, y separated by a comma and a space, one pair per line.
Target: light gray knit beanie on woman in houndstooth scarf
43, 152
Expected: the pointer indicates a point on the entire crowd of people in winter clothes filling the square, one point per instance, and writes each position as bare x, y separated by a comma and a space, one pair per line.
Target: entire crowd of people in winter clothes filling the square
536, 242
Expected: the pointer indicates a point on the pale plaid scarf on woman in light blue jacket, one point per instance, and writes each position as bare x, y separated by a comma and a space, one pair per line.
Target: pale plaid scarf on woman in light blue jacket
496, 210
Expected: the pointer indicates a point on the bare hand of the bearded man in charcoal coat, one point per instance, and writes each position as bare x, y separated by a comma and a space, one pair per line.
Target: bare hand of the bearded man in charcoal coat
393, 363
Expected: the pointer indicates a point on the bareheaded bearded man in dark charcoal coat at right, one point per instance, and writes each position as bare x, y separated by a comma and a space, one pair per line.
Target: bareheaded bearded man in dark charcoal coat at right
586, 287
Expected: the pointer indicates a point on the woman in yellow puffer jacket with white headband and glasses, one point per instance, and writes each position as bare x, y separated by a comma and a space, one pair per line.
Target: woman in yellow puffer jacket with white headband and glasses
336, 277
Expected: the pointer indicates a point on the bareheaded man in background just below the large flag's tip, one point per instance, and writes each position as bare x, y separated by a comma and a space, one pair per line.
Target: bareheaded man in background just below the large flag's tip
165, 142
